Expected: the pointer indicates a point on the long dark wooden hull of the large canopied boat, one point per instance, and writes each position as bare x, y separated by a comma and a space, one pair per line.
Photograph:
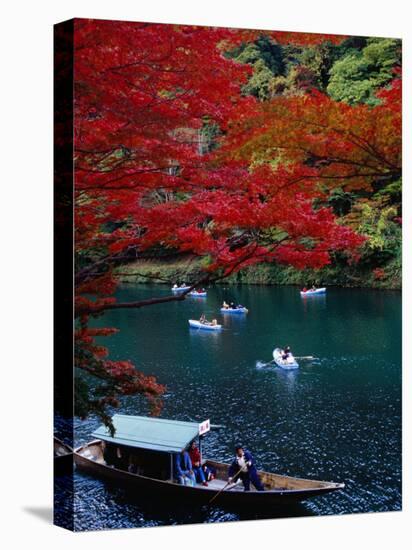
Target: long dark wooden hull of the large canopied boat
152, 489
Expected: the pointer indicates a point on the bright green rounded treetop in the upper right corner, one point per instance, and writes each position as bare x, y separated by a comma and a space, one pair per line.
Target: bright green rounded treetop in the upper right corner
356, 77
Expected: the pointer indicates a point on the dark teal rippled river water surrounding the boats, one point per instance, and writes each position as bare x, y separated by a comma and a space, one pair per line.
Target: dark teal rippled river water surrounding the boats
337, 418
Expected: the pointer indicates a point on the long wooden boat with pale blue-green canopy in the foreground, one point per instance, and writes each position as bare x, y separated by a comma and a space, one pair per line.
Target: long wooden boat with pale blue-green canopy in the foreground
150, 444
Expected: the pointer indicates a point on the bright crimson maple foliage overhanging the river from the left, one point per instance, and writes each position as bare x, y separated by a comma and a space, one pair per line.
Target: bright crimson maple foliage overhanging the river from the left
143, 95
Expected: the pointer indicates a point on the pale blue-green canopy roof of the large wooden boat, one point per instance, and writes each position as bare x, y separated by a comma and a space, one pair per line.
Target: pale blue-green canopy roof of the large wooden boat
156, 434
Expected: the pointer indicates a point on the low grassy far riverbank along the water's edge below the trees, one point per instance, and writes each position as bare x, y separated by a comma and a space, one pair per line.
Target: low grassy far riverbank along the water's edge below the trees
188, 269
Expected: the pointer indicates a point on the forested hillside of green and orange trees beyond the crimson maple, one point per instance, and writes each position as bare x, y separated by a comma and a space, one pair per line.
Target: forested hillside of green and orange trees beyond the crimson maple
352, 78
